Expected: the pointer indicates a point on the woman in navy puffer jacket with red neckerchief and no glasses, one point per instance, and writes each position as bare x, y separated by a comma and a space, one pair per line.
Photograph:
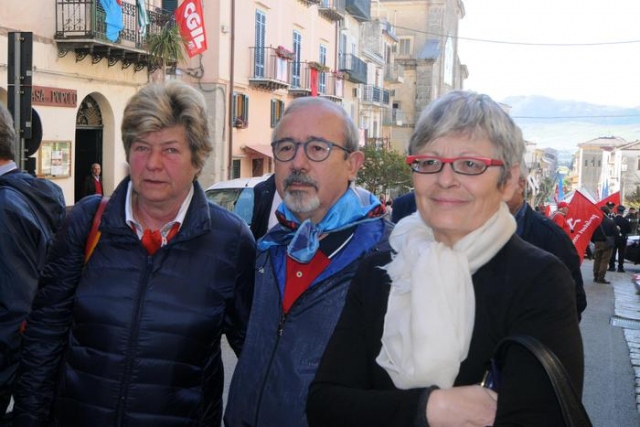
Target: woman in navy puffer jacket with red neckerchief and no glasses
132, 336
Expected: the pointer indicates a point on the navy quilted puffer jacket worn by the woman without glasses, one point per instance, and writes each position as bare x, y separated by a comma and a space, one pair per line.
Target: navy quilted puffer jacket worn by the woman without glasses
132, 339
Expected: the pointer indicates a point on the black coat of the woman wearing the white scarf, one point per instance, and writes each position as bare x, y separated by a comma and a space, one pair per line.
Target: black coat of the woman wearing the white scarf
521, 290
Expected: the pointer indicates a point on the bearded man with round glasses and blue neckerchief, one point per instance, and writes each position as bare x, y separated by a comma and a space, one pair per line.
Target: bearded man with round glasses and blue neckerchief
305, 263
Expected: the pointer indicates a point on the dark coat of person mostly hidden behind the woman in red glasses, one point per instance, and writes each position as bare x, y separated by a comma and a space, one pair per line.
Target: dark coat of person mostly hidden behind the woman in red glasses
542, 232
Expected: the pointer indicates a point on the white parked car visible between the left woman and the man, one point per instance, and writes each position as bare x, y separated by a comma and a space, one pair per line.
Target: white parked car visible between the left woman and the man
236, 195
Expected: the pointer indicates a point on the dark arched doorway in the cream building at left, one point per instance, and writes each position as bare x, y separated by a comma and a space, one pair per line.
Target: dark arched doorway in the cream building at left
88, 147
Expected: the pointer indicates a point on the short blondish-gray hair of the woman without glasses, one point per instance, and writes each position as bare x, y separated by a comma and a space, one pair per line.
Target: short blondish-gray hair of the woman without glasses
159, 106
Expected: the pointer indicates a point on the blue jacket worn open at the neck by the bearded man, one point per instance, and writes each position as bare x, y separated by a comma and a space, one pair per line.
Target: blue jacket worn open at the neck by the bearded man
282, 352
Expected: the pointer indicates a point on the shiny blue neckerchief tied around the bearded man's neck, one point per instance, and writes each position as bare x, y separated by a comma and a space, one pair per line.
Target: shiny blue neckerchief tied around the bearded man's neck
303, 239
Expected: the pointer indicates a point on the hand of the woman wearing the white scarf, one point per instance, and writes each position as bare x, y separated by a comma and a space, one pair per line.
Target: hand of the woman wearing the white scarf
466, 406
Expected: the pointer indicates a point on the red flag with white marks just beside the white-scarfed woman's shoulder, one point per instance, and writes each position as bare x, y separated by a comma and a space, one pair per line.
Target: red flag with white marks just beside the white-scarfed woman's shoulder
583, 217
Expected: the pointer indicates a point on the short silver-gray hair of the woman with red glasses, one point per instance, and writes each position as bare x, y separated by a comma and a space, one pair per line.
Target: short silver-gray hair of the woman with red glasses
474, 114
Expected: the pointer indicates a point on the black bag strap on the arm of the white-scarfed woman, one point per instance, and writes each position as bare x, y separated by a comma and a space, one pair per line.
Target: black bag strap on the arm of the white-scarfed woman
573, 411
